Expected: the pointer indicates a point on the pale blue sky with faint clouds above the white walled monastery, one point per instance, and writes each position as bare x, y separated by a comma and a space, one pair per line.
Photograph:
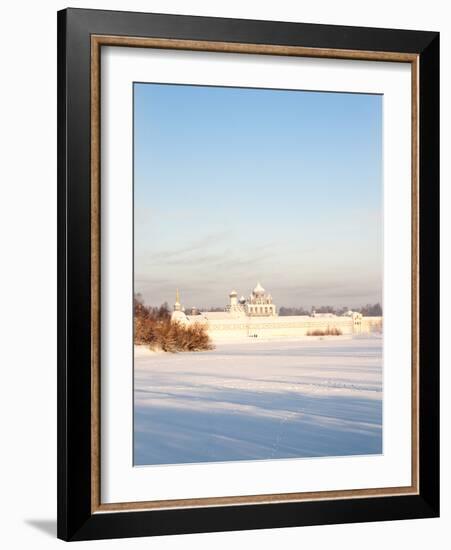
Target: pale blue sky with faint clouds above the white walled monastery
235, 185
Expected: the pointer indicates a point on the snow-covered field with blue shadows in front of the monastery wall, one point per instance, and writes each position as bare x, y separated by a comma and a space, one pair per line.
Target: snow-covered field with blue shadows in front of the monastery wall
259, 400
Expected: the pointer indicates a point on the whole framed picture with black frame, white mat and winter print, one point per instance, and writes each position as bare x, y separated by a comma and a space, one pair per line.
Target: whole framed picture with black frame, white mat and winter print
248, 274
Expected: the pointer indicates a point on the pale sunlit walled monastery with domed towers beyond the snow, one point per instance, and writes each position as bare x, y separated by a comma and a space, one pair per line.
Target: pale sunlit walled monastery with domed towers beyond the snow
256, 317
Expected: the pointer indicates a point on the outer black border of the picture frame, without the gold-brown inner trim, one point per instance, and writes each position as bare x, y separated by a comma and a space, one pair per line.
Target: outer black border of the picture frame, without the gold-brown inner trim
76, 520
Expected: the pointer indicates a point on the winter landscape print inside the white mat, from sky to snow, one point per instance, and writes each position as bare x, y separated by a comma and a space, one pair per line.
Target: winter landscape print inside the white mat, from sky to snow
258, 230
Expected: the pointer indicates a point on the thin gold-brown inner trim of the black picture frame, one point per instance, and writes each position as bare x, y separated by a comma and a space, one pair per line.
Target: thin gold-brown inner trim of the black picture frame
97, 41
